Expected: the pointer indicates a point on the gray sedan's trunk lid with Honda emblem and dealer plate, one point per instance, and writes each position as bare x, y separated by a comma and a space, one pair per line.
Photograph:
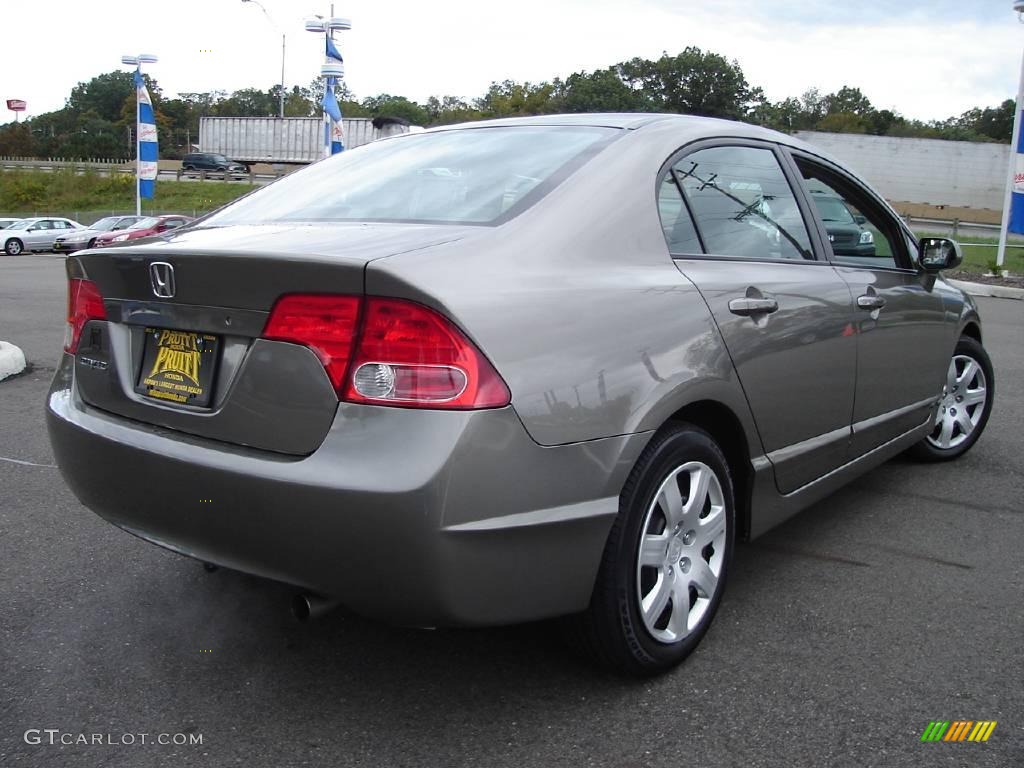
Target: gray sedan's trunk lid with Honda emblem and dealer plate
215, 376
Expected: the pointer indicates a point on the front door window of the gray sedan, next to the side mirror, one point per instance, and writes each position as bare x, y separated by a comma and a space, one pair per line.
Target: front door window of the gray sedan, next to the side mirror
860, 231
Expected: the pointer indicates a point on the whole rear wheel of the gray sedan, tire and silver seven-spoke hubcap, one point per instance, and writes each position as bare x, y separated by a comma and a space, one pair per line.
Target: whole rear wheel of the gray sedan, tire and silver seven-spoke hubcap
665, 563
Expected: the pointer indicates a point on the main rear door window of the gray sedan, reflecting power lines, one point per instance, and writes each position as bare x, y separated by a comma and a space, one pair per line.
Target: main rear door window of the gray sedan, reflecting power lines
743, 204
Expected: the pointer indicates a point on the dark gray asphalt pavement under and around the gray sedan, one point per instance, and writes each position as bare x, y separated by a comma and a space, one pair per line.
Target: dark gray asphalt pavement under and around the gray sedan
895, 603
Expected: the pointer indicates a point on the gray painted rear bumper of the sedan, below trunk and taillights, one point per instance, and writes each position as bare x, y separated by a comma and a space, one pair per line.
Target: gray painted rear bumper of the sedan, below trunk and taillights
417, 518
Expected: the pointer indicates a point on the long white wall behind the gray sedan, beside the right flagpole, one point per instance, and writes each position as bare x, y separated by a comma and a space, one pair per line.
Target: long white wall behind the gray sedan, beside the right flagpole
923, 170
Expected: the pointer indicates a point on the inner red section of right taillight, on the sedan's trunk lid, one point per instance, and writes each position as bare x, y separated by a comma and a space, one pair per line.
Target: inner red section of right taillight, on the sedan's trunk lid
325, 324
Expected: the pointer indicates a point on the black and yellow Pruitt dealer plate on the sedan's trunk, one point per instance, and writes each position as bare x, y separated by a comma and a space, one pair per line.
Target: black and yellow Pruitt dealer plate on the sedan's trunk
179, 367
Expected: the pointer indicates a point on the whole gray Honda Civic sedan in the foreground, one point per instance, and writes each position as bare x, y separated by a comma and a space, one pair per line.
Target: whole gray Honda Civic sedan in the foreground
515, 370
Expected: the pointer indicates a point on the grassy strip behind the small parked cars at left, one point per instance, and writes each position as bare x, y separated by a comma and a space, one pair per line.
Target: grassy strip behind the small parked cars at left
89, 196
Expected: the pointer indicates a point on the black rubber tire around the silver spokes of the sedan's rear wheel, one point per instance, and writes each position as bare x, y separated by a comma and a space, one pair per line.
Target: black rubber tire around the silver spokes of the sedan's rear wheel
613, 630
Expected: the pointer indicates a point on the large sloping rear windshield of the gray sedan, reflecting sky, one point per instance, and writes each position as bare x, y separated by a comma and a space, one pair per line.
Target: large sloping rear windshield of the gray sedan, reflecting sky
477, 176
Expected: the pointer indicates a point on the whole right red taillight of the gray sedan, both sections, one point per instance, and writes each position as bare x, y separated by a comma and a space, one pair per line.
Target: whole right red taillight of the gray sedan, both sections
390, 352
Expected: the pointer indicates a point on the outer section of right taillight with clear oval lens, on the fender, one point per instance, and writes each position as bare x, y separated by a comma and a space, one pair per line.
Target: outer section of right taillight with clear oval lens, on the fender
410, 356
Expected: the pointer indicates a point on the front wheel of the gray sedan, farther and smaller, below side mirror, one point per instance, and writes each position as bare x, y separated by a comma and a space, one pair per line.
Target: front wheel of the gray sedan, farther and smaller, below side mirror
967, 402
